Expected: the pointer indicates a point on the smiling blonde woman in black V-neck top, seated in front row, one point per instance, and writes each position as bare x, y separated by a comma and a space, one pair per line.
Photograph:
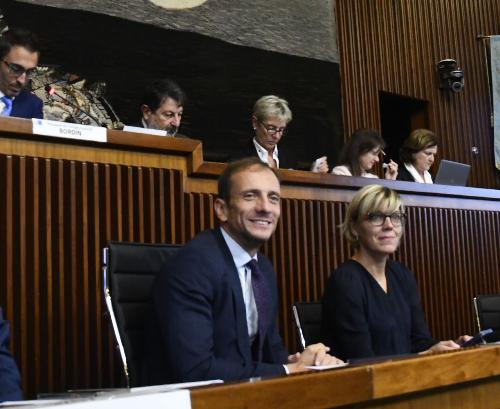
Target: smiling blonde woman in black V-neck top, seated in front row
371, 305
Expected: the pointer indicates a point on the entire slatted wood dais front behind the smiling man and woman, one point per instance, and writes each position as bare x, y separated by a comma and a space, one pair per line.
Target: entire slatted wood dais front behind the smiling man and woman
56, 215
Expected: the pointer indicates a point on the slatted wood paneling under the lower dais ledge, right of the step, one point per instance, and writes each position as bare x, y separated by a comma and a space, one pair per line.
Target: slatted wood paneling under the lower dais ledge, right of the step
453, 253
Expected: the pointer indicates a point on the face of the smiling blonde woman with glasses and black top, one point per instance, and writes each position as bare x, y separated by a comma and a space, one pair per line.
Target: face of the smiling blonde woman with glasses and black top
378, 233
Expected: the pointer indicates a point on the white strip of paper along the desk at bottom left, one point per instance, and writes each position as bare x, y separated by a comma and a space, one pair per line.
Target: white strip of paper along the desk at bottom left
179, 399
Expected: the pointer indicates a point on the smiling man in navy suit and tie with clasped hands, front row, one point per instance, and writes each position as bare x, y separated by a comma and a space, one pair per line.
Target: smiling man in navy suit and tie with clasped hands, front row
215, 303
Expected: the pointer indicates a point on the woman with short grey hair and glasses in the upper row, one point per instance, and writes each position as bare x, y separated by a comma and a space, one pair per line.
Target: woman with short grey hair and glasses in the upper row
270, 118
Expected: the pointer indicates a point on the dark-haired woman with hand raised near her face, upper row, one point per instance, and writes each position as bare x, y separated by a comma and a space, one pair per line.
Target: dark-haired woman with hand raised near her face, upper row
361, 153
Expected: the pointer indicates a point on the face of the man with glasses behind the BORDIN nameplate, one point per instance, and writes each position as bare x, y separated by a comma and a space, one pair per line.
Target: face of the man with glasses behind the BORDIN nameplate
11, 83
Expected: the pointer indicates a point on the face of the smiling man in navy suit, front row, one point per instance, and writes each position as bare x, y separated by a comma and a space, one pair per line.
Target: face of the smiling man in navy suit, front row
253, 210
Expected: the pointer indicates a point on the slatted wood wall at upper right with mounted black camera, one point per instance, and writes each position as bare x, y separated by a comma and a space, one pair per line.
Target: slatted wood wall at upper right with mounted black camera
394, 45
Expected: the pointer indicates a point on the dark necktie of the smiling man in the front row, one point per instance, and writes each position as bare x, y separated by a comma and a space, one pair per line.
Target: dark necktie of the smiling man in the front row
262, 301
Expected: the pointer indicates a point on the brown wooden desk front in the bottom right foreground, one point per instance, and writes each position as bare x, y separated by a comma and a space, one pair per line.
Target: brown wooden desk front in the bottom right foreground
457, 380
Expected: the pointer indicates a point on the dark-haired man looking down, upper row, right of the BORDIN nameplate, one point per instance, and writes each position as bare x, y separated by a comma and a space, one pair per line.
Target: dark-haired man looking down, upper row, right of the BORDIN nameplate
162, 106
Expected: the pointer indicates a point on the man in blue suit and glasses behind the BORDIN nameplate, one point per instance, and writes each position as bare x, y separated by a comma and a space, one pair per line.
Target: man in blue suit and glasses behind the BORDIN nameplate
19, 54
